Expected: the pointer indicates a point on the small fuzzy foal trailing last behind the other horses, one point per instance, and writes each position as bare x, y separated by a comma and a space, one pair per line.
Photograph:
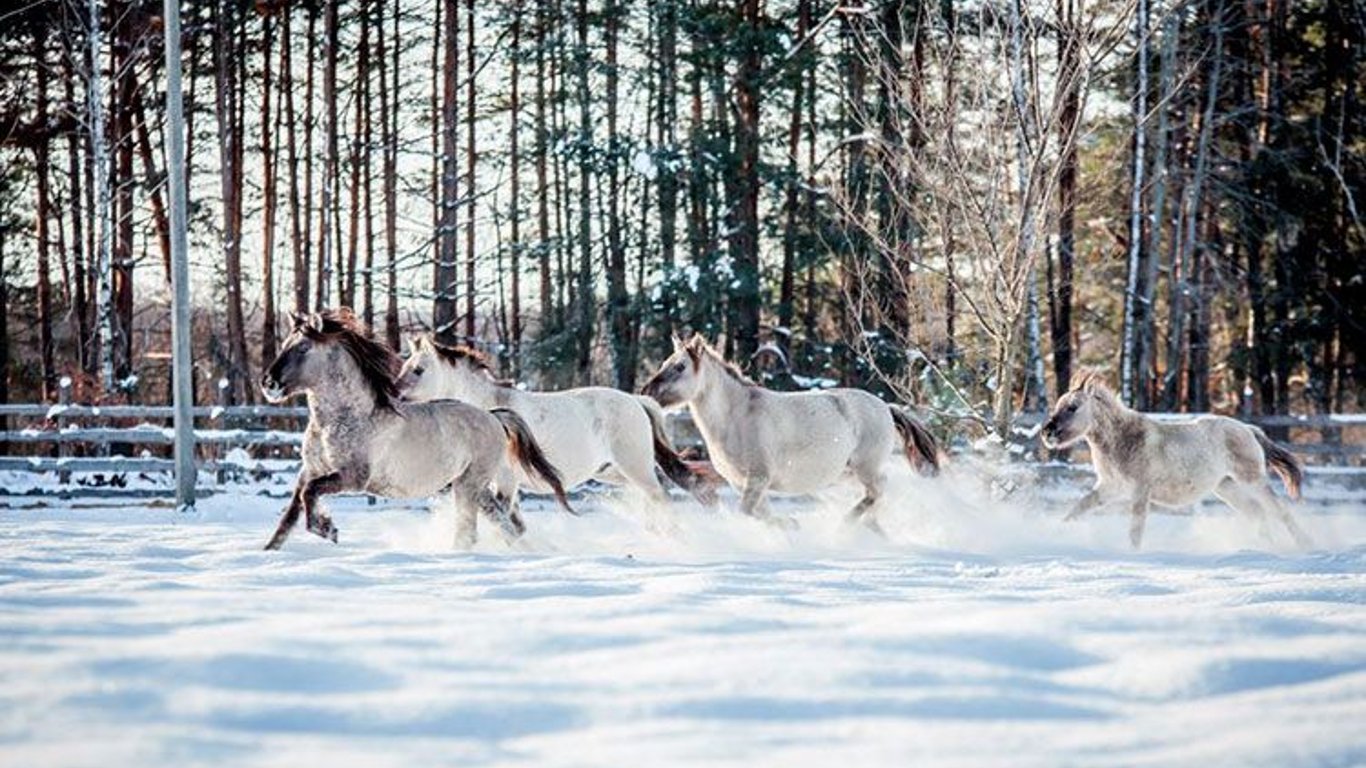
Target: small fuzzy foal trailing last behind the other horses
1140, 461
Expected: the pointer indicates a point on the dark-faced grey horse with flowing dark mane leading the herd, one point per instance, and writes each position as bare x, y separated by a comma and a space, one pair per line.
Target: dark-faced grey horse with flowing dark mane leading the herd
361, 438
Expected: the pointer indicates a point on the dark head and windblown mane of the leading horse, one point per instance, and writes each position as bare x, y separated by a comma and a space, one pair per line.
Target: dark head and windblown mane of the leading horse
312, 357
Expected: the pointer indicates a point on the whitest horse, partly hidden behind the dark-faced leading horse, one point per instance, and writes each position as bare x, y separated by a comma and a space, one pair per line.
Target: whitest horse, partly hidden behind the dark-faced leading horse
588, 434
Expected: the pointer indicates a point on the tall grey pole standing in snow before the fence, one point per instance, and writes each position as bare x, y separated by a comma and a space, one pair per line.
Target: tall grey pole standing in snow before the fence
182, 364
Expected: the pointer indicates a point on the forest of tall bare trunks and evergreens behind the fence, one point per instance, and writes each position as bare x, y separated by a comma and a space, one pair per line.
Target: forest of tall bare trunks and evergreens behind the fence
954, 204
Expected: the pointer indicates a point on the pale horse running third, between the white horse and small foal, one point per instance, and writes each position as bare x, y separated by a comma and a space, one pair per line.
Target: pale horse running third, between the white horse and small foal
762, 441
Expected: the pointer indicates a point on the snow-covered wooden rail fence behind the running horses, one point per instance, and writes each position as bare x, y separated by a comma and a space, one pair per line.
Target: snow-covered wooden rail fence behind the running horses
102, 446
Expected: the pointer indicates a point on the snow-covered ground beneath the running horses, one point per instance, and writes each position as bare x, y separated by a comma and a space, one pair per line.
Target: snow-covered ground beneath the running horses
981, 633
